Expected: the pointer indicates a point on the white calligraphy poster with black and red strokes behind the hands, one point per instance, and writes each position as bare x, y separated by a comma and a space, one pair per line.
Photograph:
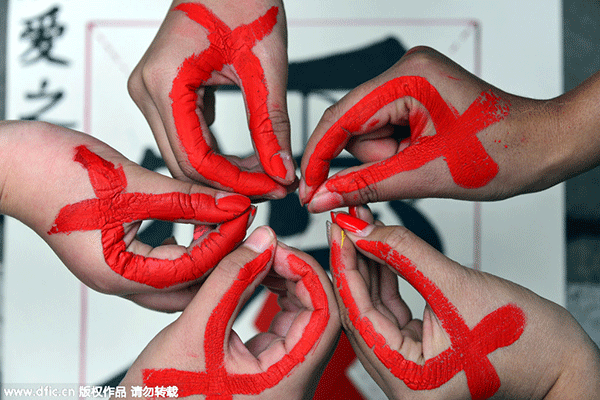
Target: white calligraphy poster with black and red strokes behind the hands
68, 64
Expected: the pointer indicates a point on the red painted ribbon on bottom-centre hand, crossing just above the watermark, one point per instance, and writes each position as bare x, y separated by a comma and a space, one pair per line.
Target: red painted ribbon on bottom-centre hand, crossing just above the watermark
215, 382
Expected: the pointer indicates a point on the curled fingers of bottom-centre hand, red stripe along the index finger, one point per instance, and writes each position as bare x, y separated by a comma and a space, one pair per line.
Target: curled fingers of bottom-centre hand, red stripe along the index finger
303, 334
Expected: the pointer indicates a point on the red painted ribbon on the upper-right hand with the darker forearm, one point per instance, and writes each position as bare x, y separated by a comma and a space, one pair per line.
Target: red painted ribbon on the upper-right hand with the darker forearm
455, 138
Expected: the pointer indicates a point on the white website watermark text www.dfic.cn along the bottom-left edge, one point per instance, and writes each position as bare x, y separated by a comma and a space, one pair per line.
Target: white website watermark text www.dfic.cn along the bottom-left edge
87, 392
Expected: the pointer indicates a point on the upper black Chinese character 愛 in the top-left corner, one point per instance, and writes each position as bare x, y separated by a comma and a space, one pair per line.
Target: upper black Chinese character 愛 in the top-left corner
41, 31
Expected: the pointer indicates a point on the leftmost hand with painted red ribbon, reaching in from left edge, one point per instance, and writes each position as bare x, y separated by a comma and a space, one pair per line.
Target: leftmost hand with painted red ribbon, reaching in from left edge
88, 201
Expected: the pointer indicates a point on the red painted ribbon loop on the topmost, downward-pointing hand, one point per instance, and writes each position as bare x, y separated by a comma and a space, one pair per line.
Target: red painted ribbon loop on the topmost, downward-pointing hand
232, 48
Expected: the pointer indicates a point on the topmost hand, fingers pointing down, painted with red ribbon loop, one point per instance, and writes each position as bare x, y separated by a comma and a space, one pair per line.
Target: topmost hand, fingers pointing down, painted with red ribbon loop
205, 44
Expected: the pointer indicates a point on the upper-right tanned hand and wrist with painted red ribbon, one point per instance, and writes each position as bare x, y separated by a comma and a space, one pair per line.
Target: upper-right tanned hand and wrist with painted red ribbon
467, 139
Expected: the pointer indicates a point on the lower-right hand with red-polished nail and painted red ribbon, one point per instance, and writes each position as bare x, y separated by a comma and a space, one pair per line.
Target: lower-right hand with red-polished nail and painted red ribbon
480, 336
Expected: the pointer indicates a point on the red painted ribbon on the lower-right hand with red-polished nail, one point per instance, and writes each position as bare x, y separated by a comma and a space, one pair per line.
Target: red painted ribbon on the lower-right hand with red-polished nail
469, 348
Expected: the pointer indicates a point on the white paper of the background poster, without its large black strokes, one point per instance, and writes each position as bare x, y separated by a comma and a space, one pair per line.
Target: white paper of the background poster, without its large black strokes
57, 332
